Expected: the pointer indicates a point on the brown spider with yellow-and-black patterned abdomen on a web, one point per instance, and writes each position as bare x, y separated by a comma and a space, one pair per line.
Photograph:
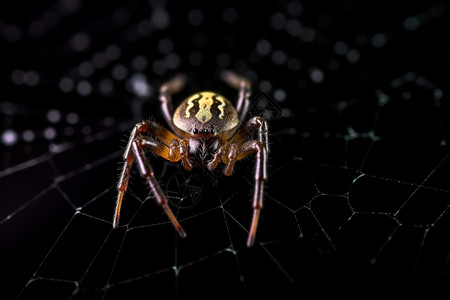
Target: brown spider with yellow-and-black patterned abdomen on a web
206, 129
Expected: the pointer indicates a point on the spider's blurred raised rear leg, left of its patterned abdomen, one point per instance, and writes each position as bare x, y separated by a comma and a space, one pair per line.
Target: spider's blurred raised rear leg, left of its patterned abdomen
166, 91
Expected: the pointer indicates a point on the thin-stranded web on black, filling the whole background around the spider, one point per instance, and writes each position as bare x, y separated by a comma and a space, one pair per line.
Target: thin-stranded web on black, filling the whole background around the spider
358, 193
